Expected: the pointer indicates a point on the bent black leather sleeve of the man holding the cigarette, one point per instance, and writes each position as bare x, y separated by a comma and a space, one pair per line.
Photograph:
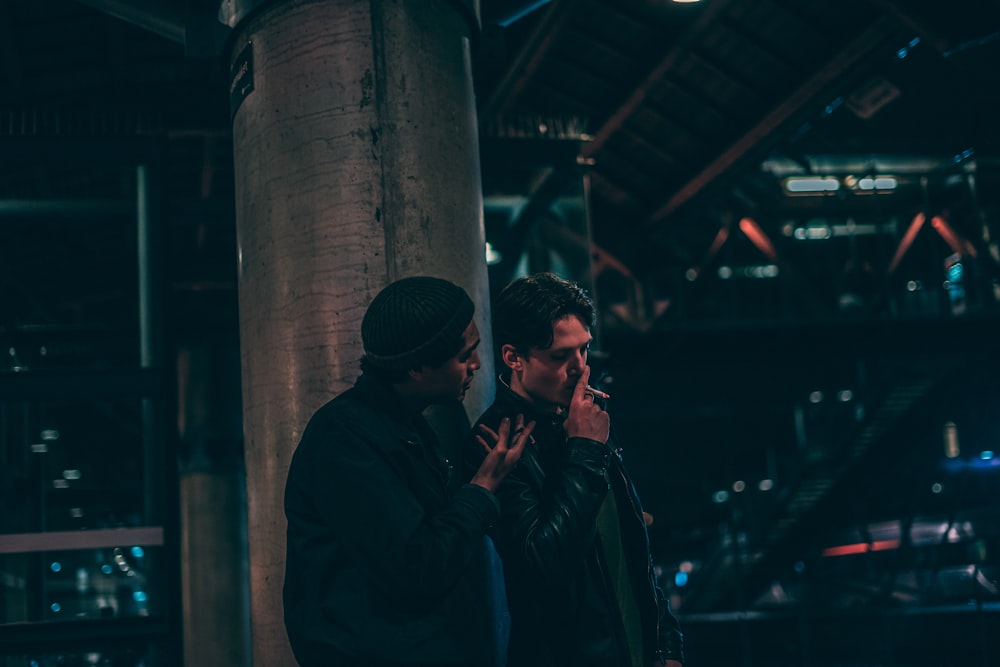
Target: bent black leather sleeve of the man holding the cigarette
551, 525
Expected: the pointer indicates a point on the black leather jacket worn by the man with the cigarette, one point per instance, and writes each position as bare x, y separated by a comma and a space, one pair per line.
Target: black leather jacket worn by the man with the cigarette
562, 609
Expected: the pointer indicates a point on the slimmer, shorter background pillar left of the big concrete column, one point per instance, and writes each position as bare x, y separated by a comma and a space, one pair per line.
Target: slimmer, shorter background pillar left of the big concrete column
212, 497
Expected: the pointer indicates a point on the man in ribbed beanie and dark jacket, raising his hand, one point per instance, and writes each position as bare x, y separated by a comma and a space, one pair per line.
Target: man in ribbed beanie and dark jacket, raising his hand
387, 557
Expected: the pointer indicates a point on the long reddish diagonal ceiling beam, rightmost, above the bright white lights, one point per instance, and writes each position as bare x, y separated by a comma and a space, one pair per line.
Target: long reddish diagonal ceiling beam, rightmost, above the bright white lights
799, 100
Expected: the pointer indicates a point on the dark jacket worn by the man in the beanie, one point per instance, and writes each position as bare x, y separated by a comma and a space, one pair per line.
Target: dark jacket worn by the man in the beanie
384, 543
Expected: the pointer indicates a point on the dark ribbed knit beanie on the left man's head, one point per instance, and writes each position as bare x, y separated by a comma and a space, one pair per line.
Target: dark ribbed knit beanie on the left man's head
415, 321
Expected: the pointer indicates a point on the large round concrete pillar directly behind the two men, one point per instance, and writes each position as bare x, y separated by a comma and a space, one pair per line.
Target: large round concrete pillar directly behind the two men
356, 163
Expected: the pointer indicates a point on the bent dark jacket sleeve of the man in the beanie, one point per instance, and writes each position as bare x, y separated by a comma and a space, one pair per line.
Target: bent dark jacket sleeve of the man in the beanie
347, 501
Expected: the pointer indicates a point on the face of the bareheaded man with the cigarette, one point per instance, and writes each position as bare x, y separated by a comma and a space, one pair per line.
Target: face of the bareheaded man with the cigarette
547, 377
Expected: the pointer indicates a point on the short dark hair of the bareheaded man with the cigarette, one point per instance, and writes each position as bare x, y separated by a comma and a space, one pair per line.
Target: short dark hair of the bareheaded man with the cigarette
527, 309
